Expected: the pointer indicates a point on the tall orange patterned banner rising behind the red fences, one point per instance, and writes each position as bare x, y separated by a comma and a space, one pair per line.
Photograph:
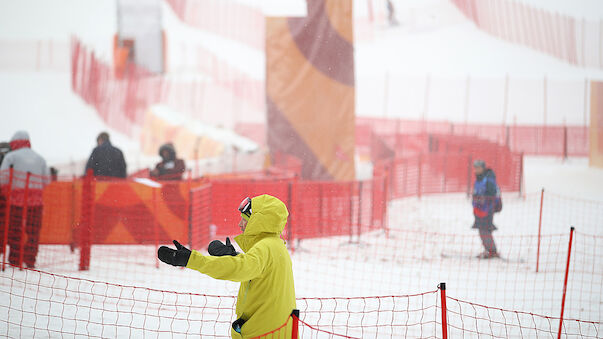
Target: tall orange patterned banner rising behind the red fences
310, 90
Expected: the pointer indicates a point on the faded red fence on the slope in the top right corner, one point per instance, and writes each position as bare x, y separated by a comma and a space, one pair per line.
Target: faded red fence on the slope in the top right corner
573, 40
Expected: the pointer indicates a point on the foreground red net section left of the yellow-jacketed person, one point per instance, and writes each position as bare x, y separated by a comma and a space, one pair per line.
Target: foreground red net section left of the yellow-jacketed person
36, 304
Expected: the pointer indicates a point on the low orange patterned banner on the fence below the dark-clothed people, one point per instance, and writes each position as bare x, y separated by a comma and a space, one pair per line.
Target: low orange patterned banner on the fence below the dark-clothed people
125, 212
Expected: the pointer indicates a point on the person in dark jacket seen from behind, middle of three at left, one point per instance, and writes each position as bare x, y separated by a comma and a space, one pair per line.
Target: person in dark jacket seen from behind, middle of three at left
106, 160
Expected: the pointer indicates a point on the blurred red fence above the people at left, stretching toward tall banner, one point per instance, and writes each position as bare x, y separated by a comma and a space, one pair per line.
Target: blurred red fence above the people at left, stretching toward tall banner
121, 100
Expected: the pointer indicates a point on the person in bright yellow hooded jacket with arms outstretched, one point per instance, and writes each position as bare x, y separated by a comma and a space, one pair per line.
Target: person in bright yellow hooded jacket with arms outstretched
267, 293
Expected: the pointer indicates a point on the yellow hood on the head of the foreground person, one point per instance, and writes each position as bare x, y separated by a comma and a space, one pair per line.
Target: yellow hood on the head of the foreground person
268, 218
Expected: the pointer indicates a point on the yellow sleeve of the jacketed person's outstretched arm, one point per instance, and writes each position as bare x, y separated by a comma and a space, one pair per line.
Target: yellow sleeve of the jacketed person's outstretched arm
242, 267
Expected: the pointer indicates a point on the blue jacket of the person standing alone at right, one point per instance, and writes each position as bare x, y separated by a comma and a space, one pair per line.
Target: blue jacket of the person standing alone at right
485, 193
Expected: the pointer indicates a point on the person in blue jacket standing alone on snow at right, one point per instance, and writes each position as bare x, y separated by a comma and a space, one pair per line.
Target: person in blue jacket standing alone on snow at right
486, 197
